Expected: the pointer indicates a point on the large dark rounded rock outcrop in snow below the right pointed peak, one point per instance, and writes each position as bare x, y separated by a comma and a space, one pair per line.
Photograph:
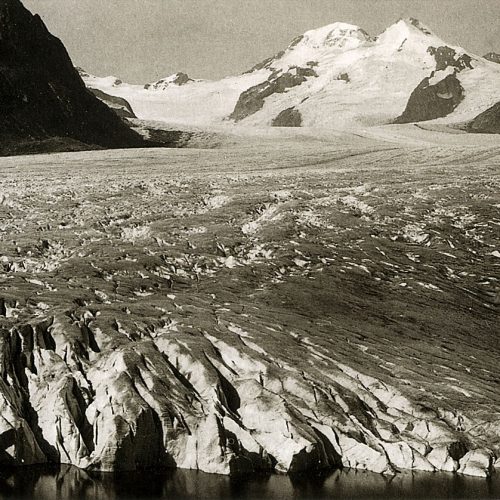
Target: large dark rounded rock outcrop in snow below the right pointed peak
428, 102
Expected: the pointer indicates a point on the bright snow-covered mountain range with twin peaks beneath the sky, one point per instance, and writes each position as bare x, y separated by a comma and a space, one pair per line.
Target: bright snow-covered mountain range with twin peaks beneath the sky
337, 76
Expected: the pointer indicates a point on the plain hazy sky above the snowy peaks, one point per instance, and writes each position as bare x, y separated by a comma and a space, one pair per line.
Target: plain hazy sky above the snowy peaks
142, 41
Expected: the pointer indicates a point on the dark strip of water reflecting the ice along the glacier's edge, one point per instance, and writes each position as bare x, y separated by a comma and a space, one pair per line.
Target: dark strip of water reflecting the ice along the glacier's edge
66, 482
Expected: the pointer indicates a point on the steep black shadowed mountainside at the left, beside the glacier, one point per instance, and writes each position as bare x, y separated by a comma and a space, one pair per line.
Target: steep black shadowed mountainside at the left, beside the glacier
42, 98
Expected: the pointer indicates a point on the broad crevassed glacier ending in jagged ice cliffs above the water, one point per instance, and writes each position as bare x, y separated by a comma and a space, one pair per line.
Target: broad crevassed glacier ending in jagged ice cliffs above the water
281, 302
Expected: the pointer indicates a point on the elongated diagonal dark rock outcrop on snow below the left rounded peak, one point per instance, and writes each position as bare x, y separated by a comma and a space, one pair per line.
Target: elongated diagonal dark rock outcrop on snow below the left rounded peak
253, 99
